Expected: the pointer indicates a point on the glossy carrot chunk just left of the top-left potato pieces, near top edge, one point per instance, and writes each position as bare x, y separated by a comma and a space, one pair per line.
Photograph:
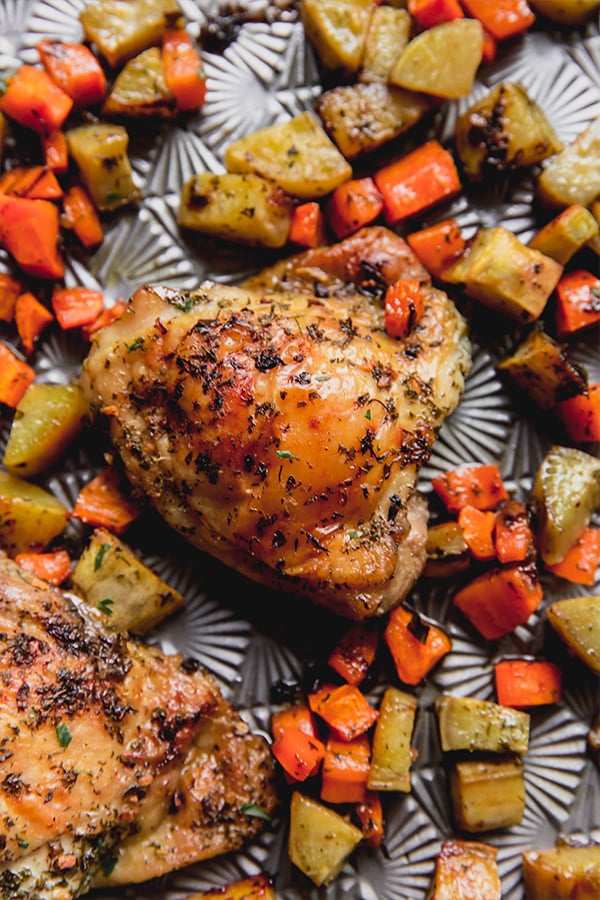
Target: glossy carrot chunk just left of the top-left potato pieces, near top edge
75, 69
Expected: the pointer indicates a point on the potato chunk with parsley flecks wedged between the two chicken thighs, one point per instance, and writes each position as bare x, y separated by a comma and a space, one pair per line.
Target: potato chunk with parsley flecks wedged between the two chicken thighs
110, 577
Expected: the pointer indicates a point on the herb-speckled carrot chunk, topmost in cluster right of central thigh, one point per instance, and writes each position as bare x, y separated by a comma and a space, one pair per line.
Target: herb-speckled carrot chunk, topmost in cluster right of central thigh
478, 486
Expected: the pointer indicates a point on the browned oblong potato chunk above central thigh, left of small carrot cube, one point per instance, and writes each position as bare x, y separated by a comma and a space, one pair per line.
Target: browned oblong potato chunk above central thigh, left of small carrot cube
244, 208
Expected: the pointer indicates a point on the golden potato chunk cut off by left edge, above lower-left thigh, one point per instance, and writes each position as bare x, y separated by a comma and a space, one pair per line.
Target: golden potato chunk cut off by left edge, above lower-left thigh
30, 517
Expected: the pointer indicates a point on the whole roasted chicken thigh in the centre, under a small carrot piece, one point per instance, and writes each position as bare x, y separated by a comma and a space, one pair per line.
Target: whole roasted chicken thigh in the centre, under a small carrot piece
282, 431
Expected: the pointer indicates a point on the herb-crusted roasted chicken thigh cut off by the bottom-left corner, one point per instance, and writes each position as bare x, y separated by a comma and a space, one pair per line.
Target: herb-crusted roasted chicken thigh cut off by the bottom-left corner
117, 762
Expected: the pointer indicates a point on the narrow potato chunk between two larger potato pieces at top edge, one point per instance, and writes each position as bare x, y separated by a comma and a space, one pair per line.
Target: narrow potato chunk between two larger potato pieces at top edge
387, 36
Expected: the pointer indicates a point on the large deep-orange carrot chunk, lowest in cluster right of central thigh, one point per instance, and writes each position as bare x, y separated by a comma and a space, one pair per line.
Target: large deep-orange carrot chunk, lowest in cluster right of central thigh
500, 600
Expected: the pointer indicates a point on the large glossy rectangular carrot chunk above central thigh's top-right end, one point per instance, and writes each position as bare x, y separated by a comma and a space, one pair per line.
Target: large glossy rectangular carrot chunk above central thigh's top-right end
420, 179
